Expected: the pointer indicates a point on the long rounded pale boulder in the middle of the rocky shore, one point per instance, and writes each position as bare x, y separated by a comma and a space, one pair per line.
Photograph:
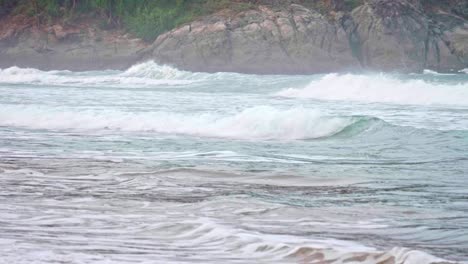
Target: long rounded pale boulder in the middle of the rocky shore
290, 40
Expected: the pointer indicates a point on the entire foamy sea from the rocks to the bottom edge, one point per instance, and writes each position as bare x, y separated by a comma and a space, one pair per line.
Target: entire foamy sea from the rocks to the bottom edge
159, 165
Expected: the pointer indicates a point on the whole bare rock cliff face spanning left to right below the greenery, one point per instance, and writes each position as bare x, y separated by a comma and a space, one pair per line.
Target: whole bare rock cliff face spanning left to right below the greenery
284, 37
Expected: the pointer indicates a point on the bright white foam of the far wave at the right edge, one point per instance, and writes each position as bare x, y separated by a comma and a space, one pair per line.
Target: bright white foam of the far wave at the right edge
382, 89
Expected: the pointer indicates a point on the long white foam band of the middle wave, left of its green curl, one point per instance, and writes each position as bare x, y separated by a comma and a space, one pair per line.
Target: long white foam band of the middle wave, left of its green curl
262, 122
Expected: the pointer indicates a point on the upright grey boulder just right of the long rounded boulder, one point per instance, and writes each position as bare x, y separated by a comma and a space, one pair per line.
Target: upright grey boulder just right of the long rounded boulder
392, 34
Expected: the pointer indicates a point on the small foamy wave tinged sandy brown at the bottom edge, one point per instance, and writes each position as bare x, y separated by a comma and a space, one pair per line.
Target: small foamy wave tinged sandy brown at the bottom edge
269, 248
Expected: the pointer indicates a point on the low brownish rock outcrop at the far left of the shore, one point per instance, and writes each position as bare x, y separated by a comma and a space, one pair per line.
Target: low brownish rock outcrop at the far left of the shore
82, 47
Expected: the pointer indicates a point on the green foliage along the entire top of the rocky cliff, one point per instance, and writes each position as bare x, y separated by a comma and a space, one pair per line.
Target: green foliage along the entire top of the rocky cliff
146, 19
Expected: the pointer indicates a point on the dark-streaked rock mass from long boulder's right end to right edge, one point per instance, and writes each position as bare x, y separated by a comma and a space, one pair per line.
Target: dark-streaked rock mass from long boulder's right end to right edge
399, 35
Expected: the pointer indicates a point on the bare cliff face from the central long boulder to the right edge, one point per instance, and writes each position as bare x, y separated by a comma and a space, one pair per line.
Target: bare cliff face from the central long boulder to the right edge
390, 35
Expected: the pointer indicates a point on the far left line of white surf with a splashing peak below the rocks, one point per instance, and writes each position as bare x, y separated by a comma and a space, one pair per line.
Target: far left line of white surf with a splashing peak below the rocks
143, 75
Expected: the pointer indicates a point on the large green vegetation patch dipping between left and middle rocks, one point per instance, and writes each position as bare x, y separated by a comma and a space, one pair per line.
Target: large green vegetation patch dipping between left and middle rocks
145, 19
